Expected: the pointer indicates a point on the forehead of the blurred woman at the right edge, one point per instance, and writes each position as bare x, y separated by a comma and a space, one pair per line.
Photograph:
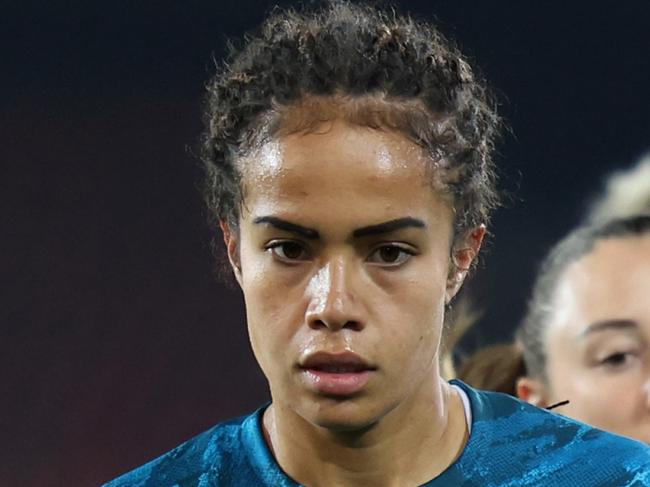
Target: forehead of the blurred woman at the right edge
610, 282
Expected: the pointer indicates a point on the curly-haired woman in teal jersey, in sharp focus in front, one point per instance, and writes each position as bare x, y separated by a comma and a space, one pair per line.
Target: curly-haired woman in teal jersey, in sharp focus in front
349, 166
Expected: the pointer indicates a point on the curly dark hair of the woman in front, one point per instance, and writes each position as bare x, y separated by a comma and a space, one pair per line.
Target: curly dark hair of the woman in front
422, 84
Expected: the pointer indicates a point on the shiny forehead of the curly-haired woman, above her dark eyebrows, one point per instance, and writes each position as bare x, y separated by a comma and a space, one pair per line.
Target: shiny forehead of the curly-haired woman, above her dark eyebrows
342, 169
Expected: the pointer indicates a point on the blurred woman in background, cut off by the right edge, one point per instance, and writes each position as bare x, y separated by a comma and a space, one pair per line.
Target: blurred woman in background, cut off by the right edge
586, 336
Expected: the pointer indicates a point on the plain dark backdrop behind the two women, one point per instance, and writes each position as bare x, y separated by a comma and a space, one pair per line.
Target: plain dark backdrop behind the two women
116, 340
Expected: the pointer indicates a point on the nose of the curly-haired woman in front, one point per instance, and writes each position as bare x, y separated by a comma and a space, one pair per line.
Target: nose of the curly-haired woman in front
333, 304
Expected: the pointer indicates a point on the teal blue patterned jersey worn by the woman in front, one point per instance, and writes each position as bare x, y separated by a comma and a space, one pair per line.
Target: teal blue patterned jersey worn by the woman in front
511, 444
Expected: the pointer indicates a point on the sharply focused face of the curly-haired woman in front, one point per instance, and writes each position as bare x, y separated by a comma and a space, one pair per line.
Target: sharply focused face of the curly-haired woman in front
343, 256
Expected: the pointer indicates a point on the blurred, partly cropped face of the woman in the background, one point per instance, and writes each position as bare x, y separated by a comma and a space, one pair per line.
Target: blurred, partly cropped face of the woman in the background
598, 345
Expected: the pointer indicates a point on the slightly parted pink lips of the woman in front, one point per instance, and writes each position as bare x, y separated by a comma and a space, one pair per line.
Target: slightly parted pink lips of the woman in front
339, 374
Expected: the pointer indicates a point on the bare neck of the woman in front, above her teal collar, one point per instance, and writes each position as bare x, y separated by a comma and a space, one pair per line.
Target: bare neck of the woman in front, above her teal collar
410, 445
